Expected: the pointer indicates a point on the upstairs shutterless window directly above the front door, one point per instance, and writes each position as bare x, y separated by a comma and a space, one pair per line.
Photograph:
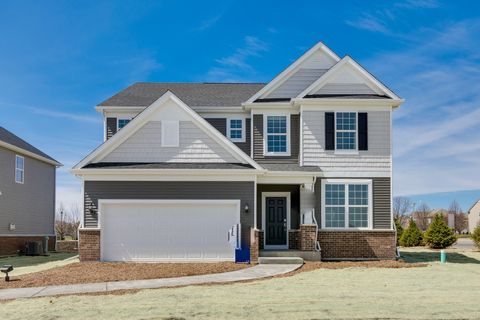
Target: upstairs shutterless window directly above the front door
277, 140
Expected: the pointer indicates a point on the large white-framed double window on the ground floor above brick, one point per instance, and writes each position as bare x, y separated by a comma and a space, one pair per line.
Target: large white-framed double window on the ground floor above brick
346, 204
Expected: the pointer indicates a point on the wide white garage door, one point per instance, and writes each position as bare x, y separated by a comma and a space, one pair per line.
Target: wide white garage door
167, 230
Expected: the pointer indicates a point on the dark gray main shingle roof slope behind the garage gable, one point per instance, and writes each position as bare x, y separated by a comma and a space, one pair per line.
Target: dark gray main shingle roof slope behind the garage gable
144, 94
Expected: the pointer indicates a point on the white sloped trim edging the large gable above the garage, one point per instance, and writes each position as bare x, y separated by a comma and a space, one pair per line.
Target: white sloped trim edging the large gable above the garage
144, 116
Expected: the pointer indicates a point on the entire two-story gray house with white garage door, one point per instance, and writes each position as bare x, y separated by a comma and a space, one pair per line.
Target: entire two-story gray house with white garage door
183, 162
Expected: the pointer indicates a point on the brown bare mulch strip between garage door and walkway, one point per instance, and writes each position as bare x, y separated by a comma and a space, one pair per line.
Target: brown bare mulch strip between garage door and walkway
88, 272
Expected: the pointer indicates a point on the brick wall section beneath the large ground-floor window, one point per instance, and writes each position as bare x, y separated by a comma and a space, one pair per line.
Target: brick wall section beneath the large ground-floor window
357, 244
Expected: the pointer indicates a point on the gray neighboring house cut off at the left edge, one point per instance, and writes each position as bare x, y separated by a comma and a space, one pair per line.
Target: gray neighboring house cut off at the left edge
27, 194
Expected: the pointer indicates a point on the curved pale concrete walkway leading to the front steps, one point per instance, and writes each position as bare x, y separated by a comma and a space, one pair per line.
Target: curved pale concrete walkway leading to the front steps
256, 272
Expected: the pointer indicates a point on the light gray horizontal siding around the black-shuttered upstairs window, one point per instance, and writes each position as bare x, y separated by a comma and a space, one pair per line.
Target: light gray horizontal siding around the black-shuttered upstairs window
376, 159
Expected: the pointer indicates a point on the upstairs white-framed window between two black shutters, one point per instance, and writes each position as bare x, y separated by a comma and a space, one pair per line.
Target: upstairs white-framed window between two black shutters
346, 130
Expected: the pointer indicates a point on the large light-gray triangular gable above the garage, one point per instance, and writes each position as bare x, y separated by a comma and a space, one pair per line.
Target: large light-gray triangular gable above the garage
143, 139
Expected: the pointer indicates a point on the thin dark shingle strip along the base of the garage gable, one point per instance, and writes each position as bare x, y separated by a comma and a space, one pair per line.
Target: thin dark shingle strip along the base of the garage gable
165, 165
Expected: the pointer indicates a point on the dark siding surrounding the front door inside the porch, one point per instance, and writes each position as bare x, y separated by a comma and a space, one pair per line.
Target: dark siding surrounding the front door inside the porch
294, 202
